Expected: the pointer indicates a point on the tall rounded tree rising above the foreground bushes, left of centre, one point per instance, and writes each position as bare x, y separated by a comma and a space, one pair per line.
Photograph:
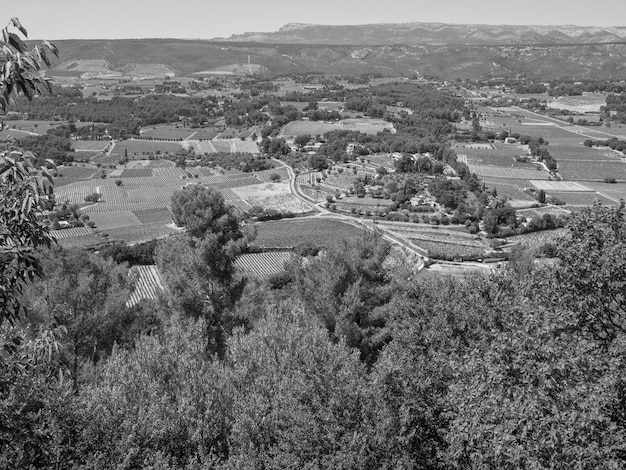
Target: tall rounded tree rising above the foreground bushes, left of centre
200, 266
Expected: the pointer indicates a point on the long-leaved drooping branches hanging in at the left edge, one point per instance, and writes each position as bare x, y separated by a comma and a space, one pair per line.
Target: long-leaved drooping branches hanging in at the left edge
24, 190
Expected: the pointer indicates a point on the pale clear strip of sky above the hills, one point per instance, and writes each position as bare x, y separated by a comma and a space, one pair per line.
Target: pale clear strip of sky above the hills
64, 19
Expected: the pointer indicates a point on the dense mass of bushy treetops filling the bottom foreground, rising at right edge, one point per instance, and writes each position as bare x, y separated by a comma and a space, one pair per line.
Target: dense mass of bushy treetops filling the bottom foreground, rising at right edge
480, 373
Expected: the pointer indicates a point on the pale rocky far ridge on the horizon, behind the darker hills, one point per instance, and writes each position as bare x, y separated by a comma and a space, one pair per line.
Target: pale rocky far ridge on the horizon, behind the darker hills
432, 34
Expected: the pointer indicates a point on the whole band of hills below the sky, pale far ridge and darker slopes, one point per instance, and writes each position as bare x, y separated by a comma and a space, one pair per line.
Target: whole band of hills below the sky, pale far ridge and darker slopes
427, 49
